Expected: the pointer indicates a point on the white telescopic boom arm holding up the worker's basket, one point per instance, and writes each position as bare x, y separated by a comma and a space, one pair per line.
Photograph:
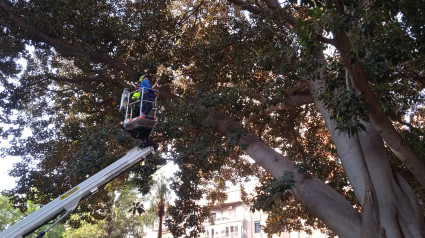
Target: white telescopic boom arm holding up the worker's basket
69, 200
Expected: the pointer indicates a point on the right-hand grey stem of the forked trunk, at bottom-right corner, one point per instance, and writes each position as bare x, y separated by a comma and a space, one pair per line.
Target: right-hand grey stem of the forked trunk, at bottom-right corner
399, 210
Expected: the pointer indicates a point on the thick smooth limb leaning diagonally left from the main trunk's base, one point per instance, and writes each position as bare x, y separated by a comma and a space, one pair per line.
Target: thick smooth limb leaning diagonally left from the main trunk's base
316, 197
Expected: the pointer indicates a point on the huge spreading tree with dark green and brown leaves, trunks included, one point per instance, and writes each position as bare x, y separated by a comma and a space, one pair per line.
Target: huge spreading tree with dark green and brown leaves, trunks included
325, 97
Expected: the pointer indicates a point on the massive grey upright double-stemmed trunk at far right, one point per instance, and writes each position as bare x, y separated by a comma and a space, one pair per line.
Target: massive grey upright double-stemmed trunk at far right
390, 208
